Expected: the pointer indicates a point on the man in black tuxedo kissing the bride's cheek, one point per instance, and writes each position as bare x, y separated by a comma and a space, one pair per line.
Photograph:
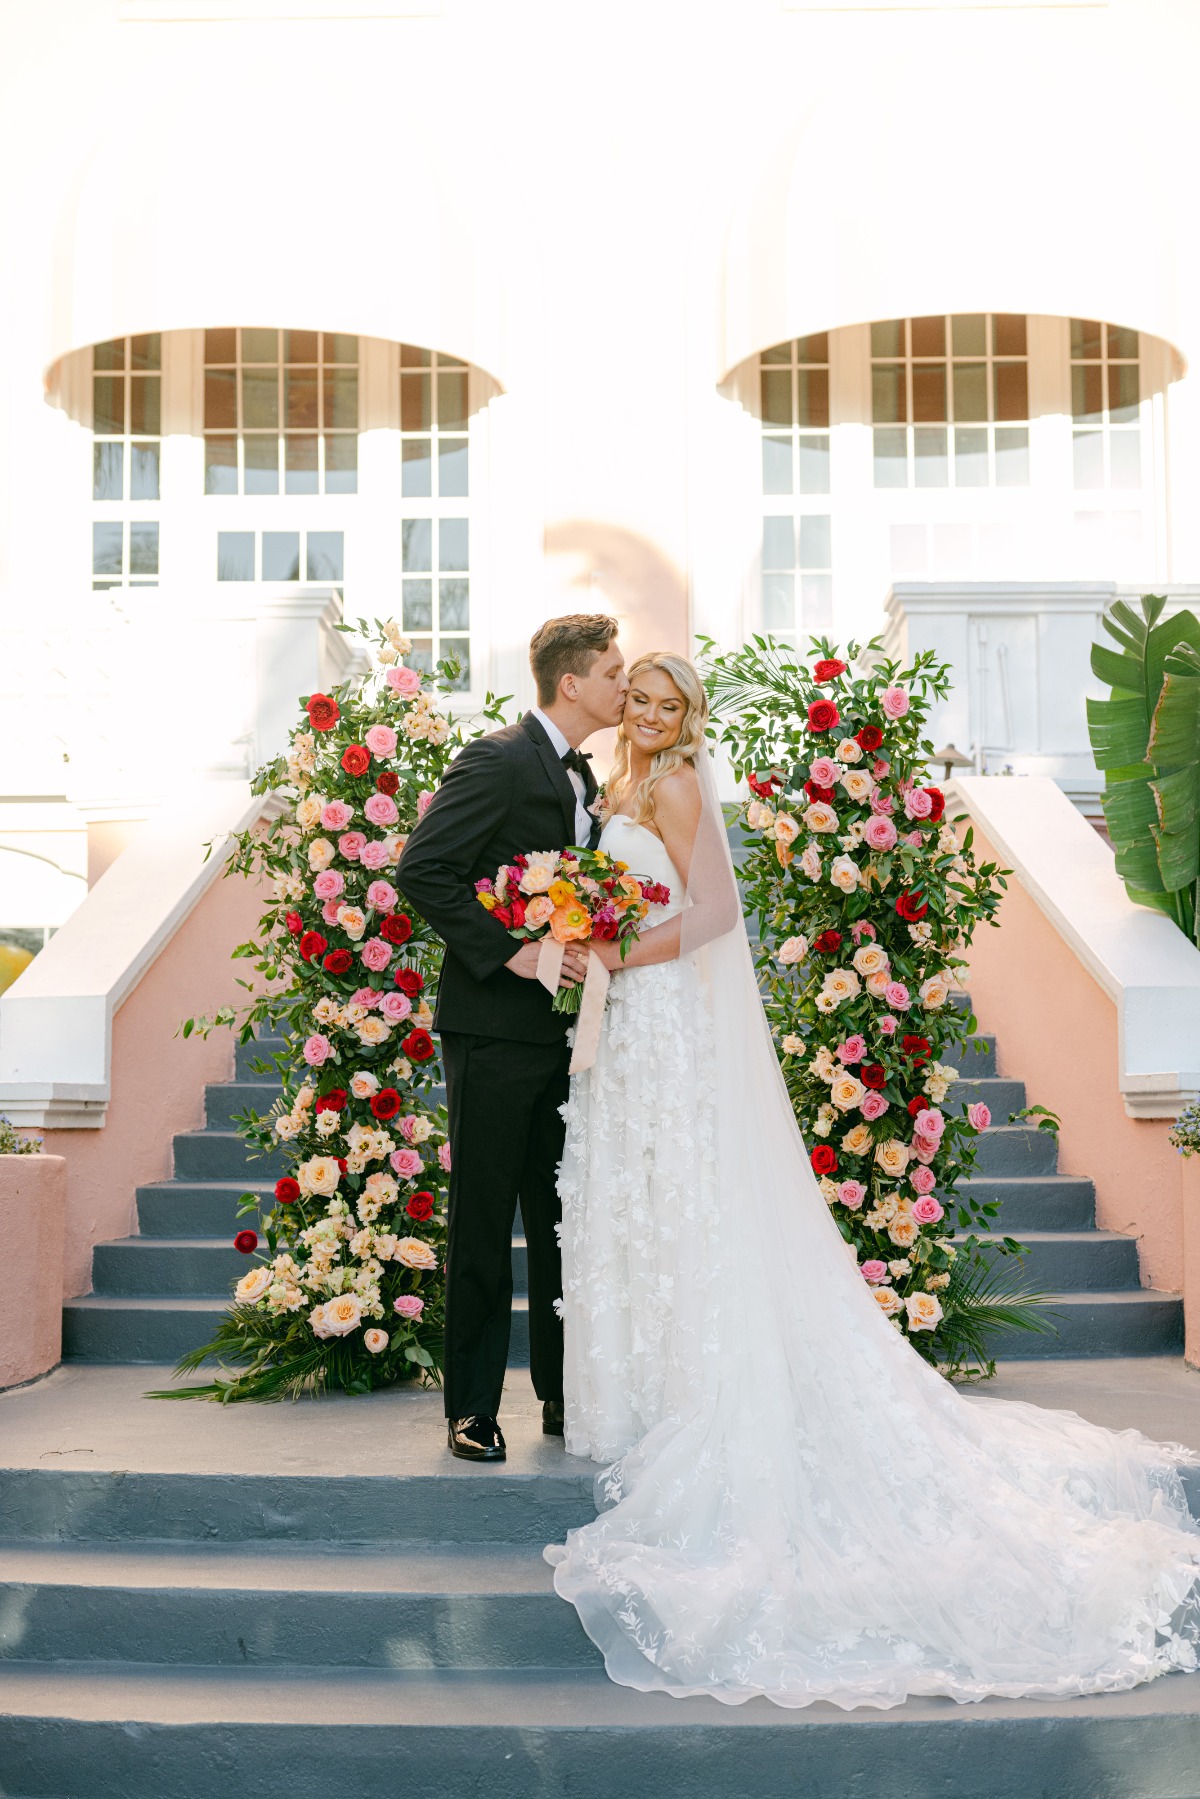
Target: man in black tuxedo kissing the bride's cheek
503, 1046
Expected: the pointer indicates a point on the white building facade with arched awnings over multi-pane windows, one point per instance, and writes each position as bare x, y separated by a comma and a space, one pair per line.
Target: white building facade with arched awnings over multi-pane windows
726, 316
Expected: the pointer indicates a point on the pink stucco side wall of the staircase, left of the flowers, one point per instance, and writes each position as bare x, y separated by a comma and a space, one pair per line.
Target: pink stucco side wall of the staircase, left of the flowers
157, 1079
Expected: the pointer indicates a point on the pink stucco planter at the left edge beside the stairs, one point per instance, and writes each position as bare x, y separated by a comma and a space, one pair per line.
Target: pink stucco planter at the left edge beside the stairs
33, 1215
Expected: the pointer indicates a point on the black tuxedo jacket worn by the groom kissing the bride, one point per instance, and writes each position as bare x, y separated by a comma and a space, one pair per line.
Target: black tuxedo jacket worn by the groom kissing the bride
501, 796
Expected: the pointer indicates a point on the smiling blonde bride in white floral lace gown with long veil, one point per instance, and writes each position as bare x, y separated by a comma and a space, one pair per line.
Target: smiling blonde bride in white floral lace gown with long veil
794, 1503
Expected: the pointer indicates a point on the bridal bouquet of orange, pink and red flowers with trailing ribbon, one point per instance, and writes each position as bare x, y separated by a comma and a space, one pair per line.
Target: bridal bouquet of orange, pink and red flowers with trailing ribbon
569, 897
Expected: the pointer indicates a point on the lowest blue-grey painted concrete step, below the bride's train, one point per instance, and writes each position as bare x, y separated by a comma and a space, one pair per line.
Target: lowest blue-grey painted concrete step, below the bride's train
201, 1733
